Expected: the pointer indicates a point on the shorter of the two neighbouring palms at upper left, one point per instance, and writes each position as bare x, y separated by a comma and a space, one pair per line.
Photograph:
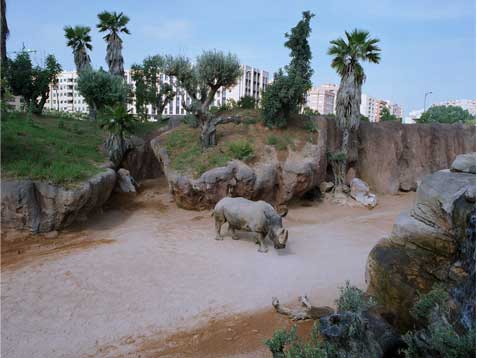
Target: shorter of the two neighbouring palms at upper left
79, 40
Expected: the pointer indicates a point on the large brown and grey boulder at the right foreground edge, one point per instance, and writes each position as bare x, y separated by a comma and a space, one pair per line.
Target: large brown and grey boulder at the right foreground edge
428, 245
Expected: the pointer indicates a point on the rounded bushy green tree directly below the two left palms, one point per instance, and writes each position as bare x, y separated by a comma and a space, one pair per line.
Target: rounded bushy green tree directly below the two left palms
101, 89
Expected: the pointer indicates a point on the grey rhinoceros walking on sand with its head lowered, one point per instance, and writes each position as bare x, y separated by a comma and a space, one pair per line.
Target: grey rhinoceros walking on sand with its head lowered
257, 217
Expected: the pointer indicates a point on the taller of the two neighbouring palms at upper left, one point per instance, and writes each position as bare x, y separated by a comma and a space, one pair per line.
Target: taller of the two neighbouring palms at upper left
114, 24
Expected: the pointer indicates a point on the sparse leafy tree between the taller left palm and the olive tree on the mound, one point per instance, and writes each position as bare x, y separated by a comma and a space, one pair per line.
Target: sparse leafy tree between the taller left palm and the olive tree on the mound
153, 90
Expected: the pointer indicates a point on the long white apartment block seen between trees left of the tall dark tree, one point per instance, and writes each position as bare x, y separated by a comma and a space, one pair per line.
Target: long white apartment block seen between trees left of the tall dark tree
64, 96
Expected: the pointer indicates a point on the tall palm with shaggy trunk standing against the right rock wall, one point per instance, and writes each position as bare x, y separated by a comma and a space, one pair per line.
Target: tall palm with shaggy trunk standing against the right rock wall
348, 53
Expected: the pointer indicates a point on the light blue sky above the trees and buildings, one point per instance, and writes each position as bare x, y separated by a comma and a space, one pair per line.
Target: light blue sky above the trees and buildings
427, 45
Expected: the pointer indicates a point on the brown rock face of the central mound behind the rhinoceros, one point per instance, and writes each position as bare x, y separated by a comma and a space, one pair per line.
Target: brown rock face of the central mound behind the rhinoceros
269, 179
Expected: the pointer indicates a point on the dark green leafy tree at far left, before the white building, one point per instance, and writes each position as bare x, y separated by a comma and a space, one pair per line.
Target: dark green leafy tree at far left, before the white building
32, 83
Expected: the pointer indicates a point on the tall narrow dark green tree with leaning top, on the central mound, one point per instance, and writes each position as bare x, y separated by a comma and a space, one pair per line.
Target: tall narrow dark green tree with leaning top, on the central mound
287, 92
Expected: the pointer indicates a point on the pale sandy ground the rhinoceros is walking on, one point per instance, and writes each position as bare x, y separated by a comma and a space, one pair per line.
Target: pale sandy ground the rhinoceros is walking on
149, 279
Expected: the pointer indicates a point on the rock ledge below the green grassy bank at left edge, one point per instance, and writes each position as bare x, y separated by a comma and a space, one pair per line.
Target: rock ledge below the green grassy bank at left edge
42, 207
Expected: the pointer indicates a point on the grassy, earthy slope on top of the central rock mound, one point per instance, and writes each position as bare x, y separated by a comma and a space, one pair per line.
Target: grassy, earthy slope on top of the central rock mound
245, 141
